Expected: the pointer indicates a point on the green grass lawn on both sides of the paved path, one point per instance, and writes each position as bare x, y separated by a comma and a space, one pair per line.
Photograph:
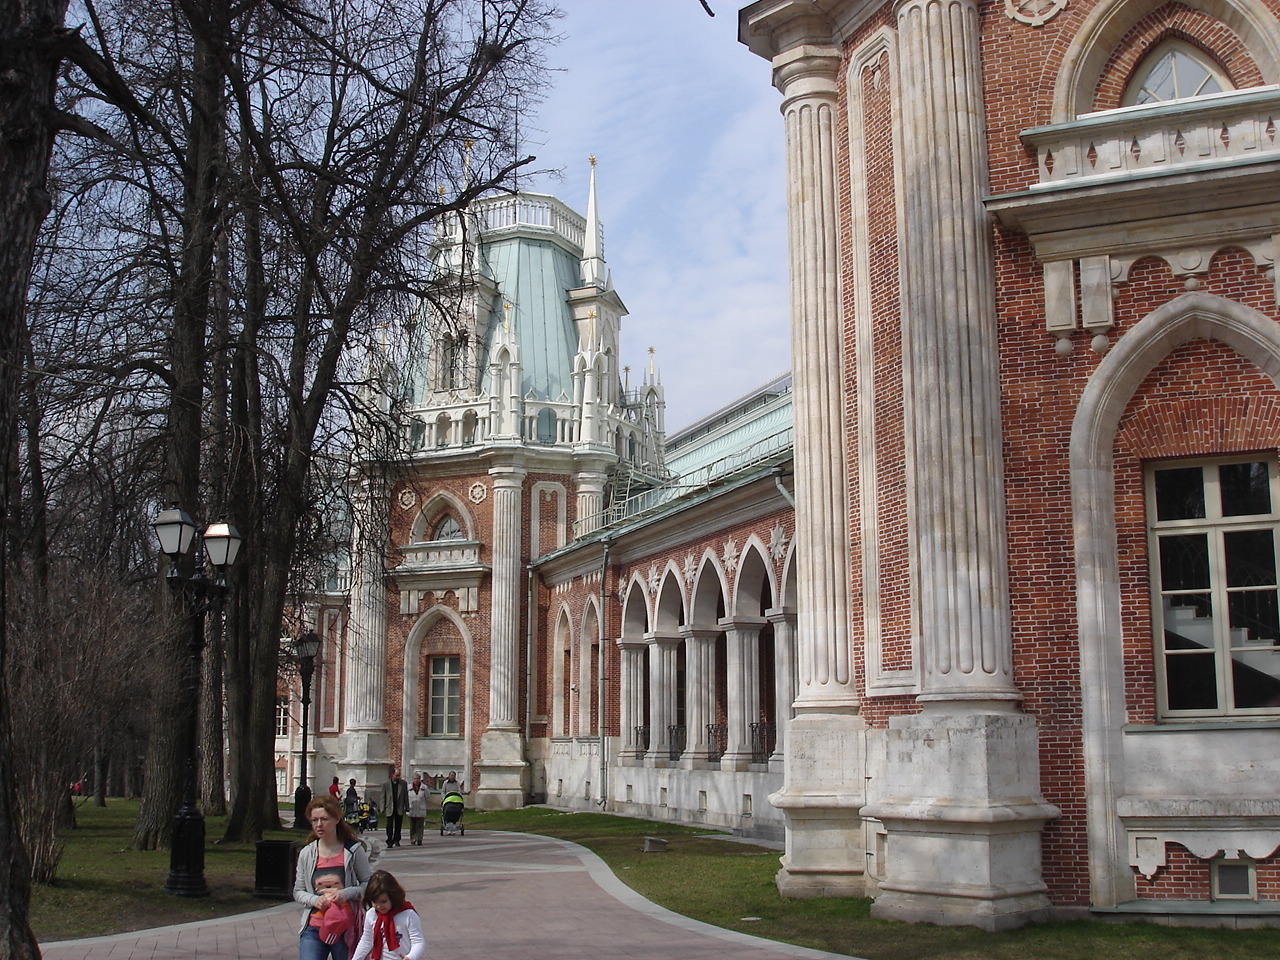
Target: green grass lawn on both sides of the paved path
106, 888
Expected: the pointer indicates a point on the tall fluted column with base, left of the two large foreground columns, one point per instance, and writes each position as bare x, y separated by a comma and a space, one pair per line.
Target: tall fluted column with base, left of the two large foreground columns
824, 787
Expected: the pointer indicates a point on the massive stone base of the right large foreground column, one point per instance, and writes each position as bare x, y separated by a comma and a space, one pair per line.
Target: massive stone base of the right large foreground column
963, 821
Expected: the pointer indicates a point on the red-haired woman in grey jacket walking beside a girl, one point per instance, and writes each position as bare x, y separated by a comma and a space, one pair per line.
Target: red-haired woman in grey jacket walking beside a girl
335, 851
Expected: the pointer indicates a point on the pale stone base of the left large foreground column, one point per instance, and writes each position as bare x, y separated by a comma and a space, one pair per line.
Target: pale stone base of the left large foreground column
826, 848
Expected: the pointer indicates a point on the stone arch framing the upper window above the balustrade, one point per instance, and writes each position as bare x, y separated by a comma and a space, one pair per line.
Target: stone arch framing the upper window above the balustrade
1105, 29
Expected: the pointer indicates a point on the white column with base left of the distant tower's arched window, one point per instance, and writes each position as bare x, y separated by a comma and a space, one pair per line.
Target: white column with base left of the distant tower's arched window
368, 751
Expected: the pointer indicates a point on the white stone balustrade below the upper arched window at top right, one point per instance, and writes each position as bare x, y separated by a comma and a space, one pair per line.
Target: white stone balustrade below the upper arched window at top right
1159, 138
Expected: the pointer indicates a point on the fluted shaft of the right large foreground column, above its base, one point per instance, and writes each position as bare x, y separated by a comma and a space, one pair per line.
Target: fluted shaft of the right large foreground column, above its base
953, 360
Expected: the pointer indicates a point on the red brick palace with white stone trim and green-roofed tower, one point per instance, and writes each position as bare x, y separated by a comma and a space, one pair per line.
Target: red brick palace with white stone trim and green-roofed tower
993, 636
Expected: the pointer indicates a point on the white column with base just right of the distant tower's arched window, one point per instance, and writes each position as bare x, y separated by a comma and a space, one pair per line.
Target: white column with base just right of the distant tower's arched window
502, 762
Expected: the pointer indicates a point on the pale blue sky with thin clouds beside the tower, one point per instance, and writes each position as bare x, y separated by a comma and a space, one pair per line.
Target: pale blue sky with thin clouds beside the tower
691, 189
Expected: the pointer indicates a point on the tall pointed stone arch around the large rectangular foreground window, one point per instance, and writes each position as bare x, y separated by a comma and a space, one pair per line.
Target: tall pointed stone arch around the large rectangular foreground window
1098, 568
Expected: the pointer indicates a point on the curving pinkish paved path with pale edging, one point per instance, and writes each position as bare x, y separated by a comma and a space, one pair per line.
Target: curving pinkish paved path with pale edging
484, 897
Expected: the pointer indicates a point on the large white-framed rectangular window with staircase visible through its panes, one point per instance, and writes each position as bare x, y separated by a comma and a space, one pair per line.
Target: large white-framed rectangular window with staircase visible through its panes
1213, 542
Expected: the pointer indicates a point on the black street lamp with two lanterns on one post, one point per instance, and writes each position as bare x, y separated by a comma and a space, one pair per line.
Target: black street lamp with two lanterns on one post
220, 545
